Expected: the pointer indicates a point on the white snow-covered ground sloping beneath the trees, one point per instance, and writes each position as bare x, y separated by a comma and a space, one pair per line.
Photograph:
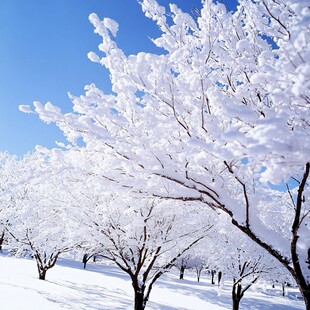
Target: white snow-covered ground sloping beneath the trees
69, 286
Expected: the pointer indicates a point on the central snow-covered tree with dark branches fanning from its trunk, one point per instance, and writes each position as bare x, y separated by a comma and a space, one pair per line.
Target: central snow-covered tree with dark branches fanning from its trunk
143, 236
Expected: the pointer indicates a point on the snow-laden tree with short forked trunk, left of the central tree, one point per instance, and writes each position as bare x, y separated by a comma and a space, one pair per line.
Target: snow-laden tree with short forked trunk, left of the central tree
36, 223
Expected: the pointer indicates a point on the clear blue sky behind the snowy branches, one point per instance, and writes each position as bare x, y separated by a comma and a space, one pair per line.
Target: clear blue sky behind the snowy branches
43, 56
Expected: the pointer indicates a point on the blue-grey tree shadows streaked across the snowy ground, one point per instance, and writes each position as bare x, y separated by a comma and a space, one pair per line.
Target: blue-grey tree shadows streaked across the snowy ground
100, 297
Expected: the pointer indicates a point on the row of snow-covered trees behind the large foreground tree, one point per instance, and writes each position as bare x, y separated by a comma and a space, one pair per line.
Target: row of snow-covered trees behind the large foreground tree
52, 203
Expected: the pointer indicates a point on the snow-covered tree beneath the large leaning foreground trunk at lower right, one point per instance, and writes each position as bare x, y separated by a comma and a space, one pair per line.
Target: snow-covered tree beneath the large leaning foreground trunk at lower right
238, 259
